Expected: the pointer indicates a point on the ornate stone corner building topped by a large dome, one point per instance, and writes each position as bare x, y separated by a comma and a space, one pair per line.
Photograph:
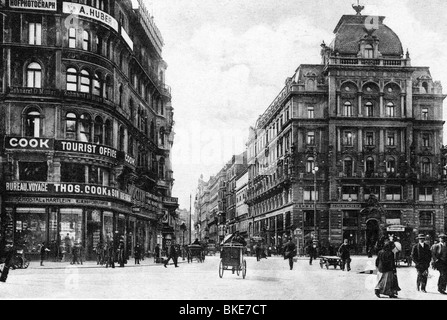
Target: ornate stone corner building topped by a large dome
352, 147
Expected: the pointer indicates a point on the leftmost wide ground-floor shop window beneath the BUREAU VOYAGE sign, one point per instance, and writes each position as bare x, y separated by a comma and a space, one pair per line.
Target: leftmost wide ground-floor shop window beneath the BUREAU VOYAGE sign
30, 228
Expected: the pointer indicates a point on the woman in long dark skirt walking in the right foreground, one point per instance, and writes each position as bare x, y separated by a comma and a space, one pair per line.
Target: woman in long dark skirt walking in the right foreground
387, 276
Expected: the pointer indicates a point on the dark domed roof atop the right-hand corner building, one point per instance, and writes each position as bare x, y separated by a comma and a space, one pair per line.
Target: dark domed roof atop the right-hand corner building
353, 28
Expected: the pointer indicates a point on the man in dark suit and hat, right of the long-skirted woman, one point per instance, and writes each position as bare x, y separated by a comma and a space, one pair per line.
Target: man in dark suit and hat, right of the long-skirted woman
421, 255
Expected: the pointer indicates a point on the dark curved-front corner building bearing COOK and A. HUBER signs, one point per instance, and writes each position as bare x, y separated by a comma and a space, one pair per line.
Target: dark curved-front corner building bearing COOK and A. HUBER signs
86, 125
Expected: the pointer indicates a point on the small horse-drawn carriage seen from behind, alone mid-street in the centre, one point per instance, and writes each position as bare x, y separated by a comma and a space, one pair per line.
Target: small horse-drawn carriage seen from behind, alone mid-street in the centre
232, 258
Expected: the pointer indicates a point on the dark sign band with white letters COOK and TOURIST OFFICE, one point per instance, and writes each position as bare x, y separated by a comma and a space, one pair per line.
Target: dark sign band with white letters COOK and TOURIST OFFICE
25, 143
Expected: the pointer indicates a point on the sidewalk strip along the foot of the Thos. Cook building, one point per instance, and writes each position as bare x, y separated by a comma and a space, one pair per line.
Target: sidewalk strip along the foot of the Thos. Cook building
48, 264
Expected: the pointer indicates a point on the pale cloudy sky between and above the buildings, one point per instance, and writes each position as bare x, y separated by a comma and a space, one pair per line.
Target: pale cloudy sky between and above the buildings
228, 60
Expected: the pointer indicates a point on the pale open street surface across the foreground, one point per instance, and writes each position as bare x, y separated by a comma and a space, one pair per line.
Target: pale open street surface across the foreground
268, 279
